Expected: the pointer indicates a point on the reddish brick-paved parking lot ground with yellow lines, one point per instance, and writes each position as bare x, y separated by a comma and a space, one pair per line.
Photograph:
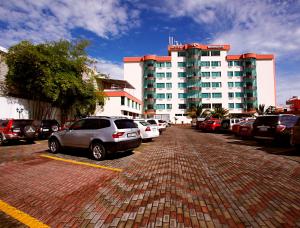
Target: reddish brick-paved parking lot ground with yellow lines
184, 178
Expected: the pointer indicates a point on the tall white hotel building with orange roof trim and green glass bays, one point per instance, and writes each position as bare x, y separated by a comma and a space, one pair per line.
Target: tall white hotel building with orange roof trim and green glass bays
196, 74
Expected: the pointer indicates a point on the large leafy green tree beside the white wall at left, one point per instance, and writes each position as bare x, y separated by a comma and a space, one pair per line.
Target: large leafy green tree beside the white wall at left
52, 73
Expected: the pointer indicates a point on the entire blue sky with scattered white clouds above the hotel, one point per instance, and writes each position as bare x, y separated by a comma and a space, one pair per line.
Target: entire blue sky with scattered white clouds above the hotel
134, 28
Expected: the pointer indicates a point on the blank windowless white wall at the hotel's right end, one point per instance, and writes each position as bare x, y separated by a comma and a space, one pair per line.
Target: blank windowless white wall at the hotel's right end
265, 82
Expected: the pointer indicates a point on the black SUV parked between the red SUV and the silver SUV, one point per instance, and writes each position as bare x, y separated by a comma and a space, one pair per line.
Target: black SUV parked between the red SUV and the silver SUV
47, 127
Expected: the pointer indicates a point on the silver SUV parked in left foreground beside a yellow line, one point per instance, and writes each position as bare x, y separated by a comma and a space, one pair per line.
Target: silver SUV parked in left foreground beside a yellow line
101, 135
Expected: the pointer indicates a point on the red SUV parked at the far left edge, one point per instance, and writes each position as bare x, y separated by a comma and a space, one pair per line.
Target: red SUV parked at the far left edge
17, 129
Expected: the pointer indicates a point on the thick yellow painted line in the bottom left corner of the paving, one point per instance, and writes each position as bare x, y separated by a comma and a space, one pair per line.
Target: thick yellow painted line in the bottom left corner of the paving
20, 215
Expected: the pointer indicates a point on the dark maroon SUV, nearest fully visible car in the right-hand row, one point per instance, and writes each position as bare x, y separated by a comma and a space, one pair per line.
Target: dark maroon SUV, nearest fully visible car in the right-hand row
275, 127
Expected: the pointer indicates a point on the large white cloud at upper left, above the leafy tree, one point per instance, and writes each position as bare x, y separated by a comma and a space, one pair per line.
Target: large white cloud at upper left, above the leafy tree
47, 20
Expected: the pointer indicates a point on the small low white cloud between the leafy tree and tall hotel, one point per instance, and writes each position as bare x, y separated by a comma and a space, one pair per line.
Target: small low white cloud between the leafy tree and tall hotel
113, 69
